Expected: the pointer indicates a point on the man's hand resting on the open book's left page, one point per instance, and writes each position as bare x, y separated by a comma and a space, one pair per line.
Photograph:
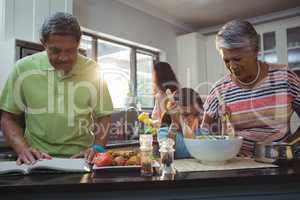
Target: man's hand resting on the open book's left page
30, 155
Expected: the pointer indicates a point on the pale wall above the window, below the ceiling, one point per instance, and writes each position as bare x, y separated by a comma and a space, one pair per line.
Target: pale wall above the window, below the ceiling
120, 20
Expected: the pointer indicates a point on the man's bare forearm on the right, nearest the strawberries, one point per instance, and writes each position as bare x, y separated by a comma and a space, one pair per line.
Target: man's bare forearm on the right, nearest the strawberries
102, 131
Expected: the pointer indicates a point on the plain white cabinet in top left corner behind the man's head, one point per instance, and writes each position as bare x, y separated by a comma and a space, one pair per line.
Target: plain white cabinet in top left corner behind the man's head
23, 19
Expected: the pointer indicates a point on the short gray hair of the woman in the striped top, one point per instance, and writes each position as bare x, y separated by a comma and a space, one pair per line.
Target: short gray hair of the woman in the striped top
237, 34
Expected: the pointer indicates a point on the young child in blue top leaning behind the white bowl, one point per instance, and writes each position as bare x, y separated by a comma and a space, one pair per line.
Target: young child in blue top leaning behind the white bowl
182, 119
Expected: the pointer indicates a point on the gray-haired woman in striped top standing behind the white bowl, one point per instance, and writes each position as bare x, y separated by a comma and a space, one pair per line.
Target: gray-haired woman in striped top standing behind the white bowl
259, 97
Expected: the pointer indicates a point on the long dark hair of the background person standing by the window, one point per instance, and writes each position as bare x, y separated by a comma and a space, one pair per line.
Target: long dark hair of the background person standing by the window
165, 77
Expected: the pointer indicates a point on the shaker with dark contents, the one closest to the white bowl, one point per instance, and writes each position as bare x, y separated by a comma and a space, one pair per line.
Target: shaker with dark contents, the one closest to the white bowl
167, 156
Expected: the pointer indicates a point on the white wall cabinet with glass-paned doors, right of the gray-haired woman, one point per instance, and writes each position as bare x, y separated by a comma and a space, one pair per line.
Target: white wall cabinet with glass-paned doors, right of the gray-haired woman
280, 42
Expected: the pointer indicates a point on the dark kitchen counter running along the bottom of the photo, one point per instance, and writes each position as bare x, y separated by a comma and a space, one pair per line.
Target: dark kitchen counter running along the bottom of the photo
268, 183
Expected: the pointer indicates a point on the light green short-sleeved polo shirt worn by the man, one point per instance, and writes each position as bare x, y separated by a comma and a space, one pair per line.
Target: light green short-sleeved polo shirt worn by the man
59, 109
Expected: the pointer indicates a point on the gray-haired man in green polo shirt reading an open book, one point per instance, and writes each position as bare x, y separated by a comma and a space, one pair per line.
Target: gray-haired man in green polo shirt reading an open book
67, 106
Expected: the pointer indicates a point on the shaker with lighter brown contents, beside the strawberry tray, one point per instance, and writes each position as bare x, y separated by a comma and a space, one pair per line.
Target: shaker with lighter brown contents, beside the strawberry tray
146, 154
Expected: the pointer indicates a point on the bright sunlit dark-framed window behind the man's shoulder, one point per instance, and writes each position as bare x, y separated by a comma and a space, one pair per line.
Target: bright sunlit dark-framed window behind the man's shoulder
126, 68
